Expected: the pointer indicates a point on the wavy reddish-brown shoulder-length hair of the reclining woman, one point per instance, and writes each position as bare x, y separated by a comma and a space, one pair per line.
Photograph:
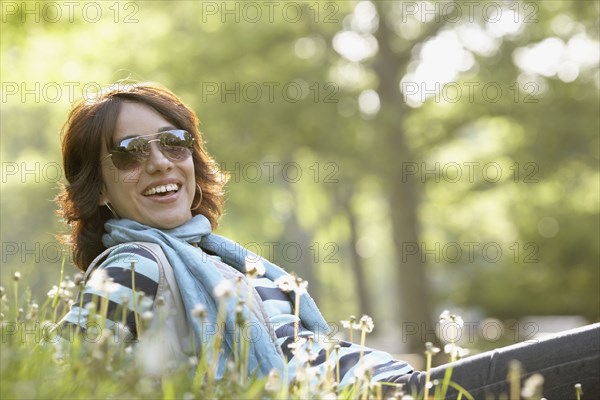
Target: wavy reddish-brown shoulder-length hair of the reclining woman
92, 121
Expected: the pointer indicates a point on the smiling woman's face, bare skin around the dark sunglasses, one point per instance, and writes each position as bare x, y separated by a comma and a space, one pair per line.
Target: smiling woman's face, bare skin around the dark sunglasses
129, 192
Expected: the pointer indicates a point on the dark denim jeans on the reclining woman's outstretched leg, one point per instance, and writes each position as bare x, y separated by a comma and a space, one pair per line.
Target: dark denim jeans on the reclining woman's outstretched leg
563, 359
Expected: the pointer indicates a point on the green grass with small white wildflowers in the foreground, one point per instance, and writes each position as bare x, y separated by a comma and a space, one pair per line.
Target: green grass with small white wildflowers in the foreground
37, 364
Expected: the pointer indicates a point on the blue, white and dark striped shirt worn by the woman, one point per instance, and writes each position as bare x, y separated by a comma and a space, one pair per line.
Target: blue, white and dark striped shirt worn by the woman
275, 304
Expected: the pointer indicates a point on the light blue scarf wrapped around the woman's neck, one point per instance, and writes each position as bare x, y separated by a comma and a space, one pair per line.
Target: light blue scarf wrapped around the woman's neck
197, 278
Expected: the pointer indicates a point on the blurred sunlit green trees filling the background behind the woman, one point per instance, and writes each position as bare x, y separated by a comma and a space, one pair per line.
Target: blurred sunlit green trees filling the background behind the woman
403, 157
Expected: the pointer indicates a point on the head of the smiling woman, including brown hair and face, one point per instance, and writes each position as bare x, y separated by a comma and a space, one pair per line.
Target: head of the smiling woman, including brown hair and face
92, 136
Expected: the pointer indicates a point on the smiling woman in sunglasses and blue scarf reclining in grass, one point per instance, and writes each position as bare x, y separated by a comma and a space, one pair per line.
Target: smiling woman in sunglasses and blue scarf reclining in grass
142, 198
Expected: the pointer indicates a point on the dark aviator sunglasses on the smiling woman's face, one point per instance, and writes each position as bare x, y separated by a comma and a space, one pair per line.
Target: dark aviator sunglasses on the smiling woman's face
130, 153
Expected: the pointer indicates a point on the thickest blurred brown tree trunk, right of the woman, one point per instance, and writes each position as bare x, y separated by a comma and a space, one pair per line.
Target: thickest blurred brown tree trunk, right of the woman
404, 194
